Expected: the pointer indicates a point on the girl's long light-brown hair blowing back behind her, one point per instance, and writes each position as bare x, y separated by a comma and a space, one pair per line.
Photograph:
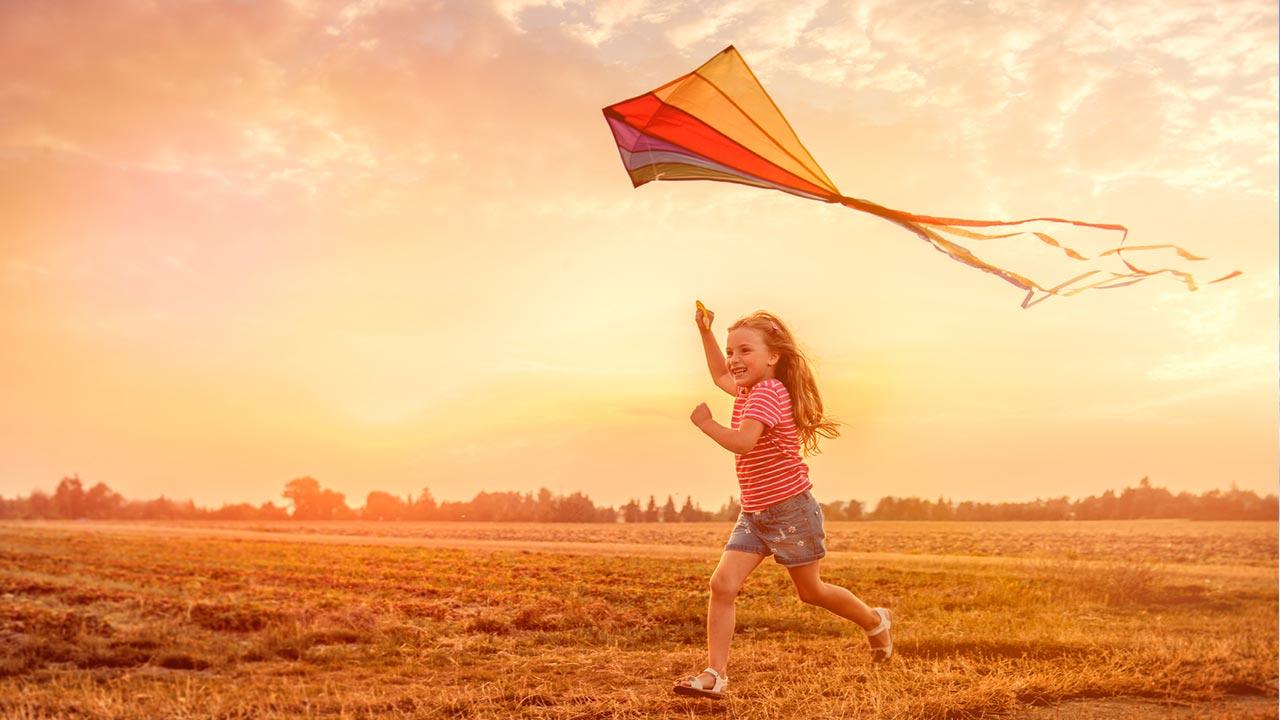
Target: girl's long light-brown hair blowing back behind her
793, 371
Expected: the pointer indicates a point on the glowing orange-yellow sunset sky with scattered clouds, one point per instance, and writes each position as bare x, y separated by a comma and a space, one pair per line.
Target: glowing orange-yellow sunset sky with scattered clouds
391, 245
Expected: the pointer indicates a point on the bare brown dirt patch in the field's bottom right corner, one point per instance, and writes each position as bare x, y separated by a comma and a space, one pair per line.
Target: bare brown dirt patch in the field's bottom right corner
1131, 709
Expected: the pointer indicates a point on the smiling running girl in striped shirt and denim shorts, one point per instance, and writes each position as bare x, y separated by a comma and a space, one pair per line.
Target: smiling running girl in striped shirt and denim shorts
778, 413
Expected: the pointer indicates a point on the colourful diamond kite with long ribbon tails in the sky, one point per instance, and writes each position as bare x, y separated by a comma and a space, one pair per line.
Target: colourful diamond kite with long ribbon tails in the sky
717, 124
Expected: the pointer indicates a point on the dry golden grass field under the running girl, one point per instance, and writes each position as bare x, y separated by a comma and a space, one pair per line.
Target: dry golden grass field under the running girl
1126, 619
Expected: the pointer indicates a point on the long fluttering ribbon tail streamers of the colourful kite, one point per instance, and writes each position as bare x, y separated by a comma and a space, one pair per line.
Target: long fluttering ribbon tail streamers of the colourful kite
930, 229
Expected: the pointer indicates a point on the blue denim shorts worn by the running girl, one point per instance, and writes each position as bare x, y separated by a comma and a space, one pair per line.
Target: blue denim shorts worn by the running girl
790, 531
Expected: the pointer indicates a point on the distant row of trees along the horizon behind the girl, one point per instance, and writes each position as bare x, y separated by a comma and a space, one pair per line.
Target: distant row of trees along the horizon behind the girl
308, 500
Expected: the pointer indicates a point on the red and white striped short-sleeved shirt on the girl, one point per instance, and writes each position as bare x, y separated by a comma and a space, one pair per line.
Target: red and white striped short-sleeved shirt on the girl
772, 471
